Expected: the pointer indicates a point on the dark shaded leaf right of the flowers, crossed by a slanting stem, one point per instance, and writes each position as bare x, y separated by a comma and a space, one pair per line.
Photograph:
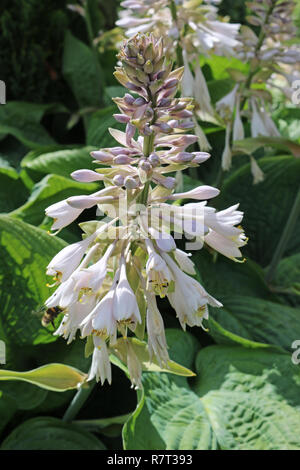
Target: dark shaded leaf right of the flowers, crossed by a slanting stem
266, 206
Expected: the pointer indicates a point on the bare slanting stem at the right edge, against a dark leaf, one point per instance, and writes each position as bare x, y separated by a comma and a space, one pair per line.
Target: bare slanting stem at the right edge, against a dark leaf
286, 234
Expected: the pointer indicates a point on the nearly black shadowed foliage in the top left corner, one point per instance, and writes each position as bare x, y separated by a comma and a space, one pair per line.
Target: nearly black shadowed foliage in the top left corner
31, 42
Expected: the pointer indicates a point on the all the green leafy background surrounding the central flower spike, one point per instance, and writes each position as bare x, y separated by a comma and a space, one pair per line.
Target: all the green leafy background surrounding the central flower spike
246, 391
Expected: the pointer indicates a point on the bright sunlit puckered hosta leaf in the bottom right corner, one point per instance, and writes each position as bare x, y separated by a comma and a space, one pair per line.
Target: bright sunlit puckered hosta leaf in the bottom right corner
251, 397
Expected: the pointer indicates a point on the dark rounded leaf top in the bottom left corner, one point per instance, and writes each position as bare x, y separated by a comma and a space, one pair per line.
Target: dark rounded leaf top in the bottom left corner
50, 434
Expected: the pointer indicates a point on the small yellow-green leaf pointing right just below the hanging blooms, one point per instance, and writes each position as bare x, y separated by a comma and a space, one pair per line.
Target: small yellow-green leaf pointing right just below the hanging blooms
141, 350
